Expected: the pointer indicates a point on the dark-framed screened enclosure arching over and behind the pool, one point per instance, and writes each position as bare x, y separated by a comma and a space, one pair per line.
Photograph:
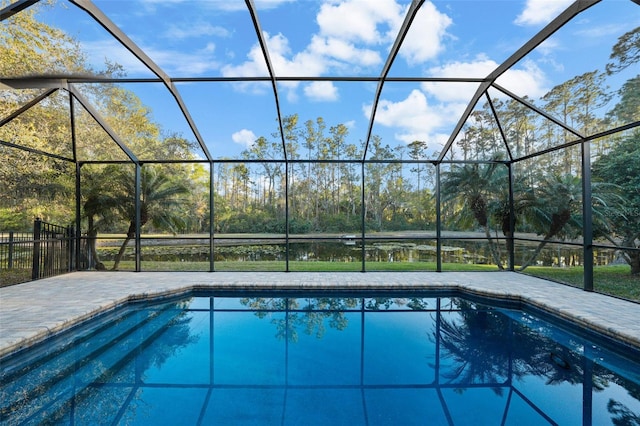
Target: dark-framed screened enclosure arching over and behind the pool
334, 135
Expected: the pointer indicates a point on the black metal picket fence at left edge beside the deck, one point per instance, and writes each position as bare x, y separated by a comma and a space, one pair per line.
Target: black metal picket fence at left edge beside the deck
47, 251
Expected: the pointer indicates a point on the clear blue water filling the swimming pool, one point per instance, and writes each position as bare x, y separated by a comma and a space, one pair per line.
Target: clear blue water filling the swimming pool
300, 360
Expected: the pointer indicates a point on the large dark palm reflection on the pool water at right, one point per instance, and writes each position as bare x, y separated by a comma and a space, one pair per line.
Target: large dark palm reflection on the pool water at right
486, 346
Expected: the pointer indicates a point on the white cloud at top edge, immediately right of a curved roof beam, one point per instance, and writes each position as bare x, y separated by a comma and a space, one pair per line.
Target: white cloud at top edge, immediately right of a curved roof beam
424, 39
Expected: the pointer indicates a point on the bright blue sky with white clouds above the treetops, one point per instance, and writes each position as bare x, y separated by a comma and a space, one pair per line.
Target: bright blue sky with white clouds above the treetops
308, 38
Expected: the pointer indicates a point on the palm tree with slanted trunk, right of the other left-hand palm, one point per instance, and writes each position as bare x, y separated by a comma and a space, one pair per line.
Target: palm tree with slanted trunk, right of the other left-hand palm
159, 204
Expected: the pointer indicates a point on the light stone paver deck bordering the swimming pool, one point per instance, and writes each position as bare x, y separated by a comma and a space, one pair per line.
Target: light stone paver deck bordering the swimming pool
33, 311
